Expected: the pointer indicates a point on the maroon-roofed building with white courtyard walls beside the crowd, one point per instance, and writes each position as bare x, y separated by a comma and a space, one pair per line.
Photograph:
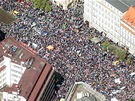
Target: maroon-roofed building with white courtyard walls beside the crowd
24, 76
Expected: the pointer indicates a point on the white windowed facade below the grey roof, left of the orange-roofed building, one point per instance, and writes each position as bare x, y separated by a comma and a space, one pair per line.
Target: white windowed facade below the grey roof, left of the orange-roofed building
104, 17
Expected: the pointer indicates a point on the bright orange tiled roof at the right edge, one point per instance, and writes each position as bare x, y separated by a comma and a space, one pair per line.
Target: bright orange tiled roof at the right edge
129, 17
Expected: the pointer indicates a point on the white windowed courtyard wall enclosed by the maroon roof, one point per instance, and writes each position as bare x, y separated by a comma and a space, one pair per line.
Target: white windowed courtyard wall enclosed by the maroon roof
12, 73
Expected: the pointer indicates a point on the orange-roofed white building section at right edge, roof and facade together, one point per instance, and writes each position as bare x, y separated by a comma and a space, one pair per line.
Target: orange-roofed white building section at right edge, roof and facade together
127, 35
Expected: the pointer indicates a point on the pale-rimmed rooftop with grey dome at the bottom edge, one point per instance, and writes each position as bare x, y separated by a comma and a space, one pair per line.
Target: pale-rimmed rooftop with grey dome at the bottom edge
84, 92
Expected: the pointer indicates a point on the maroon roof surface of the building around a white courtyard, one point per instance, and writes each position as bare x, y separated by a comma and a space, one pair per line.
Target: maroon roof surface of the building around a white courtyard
34, 75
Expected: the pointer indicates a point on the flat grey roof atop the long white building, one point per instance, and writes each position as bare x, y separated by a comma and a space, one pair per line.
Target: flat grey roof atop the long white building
121, 5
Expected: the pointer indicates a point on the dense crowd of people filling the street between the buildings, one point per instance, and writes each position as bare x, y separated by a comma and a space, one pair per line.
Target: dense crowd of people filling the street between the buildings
75, 57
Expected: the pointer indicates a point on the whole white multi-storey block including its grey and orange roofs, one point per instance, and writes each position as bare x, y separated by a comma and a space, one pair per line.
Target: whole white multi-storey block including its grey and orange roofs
108, 16
